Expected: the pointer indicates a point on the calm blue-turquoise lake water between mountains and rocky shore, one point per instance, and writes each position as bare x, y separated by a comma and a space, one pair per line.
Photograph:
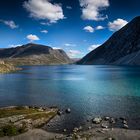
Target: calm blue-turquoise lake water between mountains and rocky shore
88, 90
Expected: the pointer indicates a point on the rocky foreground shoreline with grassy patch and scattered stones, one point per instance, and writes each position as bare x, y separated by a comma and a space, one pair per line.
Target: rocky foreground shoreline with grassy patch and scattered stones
26, 122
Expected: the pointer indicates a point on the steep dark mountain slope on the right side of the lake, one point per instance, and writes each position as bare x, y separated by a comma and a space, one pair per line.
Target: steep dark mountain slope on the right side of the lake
122, 48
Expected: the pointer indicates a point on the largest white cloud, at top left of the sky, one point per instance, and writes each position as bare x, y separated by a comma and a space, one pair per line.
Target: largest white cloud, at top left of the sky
44, 10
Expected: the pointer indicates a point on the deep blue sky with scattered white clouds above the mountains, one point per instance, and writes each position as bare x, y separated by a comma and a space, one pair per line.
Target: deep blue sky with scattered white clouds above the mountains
77, 26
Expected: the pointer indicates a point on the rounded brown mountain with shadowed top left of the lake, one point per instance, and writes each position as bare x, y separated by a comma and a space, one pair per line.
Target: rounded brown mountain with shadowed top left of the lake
34, 54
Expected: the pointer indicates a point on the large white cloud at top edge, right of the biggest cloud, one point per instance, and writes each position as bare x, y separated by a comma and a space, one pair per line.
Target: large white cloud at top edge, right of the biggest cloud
91, 9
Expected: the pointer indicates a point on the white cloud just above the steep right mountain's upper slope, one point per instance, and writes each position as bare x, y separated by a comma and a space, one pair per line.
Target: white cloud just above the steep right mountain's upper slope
116, 24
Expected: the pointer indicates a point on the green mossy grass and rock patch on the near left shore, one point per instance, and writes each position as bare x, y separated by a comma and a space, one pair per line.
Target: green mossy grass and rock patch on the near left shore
17, 120
